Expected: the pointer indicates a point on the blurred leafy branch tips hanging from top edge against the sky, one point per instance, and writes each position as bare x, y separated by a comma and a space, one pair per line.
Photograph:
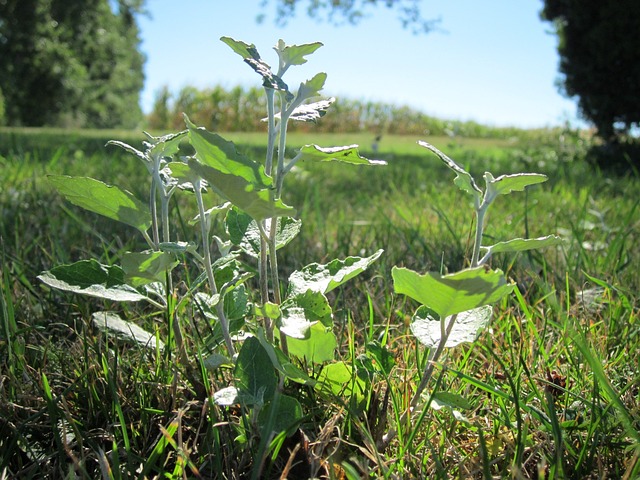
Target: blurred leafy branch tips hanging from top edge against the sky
351, 11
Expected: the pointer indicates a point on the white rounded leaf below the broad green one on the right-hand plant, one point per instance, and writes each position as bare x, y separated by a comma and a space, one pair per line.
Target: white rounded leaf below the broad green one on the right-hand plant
466, 328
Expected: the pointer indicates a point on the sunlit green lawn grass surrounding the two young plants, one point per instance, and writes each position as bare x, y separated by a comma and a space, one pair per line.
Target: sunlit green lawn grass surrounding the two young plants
552, 387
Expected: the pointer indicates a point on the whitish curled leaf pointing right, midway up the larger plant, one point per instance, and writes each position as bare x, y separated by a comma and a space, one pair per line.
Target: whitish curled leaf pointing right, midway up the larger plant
324, 278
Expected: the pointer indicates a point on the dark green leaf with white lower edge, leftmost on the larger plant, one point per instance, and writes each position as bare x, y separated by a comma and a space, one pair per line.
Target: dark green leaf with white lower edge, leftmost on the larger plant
88, 277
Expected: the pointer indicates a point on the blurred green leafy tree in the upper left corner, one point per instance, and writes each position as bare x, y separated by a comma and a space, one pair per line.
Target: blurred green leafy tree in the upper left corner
71, 62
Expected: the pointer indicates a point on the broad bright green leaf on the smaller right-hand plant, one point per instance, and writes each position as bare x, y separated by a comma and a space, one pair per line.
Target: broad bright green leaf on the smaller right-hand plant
450, 294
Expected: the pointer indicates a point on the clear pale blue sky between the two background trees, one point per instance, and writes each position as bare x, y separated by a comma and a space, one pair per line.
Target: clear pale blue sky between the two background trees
492, 61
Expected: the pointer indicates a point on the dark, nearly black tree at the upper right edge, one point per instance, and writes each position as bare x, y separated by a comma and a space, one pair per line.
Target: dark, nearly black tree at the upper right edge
599, 49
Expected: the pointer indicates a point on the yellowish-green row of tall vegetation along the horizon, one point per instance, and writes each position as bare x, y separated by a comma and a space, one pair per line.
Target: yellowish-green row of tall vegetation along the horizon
241, 110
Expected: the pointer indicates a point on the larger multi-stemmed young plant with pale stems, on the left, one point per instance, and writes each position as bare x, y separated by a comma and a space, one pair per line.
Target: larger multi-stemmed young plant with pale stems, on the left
269, 339
